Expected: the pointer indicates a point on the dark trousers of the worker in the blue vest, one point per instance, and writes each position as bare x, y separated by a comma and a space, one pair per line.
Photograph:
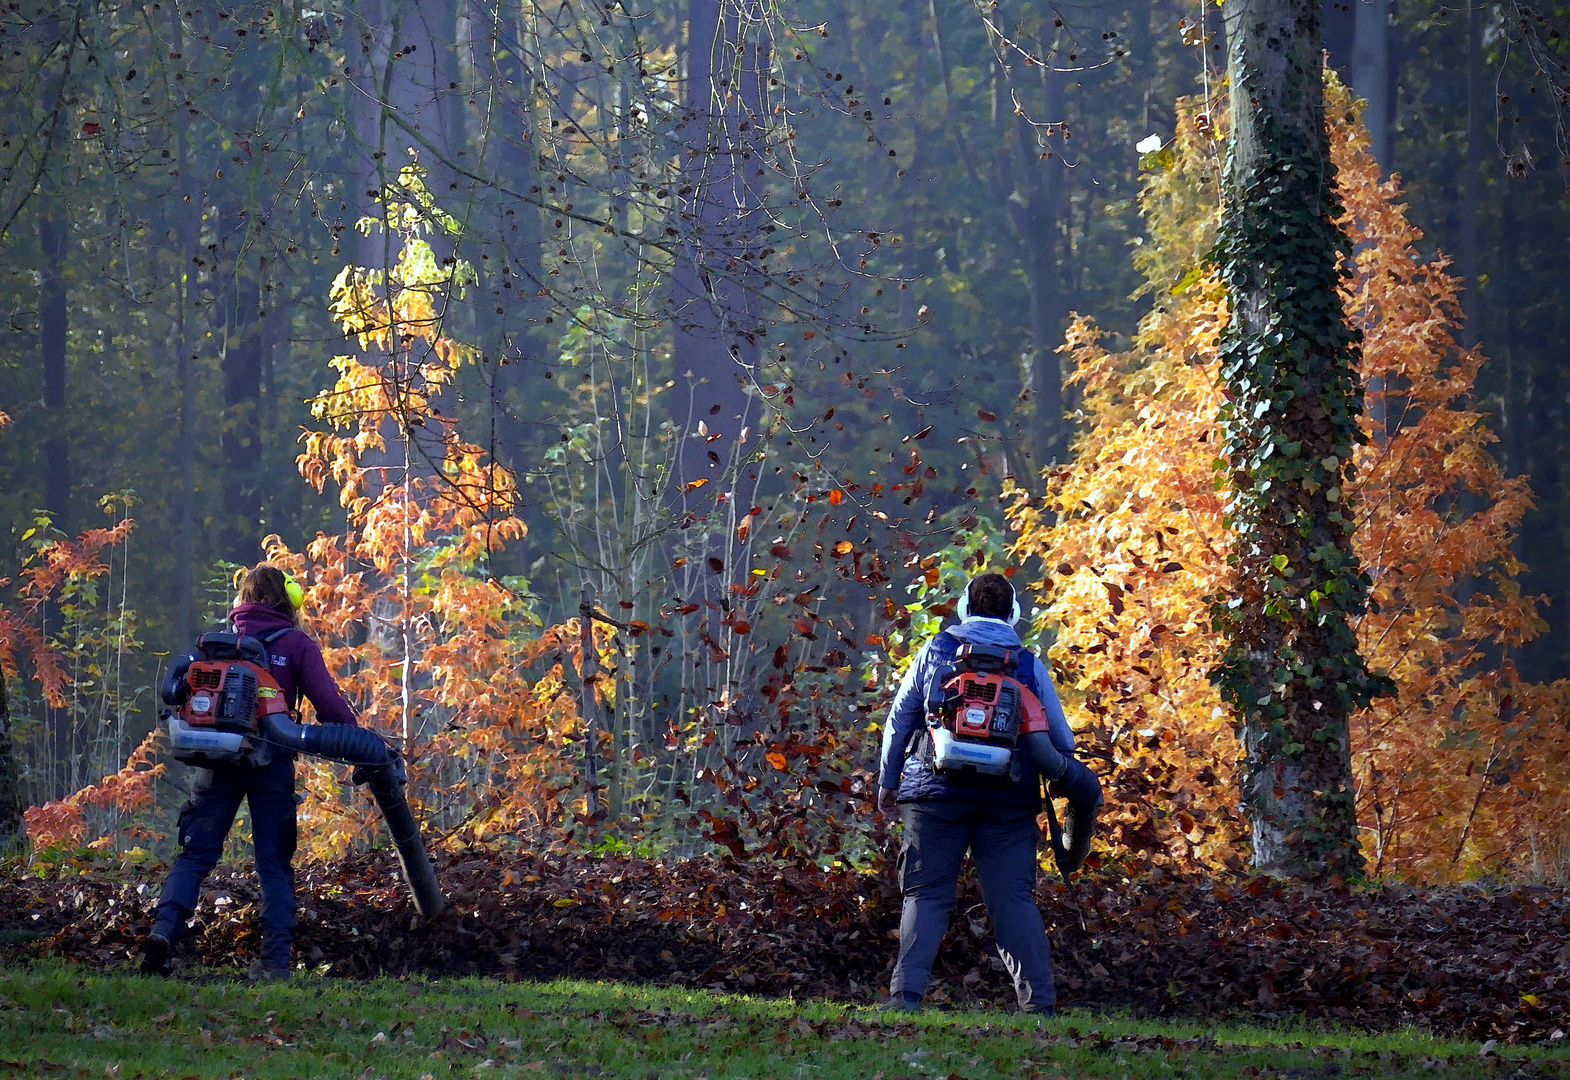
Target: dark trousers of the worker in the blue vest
1002, 841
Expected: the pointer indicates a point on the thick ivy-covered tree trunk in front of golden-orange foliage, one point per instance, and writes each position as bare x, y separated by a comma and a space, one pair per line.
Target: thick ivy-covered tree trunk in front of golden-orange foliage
1291, 671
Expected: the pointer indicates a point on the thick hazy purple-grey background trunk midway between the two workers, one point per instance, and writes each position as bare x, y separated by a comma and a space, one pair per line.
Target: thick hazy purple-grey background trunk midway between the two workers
717, 335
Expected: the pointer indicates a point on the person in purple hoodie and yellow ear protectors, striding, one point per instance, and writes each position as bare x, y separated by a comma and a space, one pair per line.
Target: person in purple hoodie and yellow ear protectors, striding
268, 611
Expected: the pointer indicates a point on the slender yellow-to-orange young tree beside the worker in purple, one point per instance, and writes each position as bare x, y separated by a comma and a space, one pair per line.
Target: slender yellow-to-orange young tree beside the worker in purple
484, 713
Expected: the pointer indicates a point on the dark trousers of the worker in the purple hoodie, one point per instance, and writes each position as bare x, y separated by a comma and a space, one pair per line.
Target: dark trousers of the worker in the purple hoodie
205, 823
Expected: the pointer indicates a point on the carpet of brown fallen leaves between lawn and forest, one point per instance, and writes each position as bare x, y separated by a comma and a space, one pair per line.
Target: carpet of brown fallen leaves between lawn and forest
1480, 961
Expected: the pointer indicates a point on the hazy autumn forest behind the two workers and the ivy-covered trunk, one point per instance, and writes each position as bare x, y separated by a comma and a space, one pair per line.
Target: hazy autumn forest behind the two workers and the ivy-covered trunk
514, 396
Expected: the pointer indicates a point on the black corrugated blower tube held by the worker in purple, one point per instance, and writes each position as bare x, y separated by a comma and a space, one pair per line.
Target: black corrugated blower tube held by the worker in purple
379, 767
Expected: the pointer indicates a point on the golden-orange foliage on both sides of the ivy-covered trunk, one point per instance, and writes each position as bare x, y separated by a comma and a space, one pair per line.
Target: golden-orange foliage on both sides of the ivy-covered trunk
1466, 768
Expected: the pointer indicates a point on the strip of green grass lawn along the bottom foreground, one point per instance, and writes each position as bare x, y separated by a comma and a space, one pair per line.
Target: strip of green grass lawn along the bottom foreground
59, 1021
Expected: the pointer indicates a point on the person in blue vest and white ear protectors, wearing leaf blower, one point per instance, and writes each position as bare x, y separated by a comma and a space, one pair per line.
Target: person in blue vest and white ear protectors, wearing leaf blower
946, 814
